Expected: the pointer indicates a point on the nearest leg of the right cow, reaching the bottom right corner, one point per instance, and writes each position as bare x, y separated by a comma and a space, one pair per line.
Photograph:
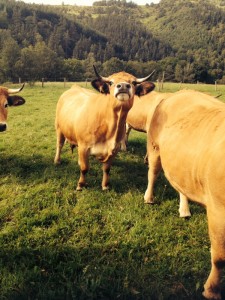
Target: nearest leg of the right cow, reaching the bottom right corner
216, 224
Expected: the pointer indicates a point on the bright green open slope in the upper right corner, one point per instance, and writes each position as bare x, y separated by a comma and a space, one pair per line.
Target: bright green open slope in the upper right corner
188, 25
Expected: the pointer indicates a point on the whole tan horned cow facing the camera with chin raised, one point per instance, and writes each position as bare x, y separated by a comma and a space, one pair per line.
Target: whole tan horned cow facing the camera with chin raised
95, 122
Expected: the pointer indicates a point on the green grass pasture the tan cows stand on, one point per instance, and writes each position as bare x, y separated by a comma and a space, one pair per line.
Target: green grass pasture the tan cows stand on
57, 243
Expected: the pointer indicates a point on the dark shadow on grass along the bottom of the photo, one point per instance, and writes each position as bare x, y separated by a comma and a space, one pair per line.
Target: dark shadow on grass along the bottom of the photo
93, 272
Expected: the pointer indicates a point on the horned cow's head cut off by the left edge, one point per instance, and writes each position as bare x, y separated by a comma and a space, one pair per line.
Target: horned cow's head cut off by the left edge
7, 100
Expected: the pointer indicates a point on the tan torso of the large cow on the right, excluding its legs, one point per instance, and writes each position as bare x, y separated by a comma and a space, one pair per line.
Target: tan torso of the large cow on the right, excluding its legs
188, 128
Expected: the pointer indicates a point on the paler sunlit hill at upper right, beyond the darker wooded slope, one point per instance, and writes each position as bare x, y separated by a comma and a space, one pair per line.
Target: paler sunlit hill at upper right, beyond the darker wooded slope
189, 32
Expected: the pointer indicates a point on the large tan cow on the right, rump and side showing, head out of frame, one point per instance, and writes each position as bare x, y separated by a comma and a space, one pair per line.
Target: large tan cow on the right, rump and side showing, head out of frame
186, 139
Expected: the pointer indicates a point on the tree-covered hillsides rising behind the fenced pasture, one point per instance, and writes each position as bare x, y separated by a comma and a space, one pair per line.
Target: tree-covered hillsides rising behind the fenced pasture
181, 40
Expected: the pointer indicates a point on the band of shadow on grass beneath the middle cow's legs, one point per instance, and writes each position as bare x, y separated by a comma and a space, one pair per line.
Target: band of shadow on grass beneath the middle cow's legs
128, 171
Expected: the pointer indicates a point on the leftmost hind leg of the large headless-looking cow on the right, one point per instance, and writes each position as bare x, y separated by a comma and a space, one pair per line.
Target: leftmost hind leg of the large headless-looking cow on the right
154, 167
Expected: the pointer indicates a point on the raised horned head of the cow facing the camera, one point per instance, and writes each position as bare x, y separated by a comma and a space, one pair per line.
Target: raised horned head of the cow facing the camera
122, 85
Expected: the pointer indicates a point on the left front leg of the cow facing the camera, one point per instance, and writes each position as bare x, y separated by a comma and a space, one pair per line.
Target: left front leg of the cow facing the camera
83, 154
